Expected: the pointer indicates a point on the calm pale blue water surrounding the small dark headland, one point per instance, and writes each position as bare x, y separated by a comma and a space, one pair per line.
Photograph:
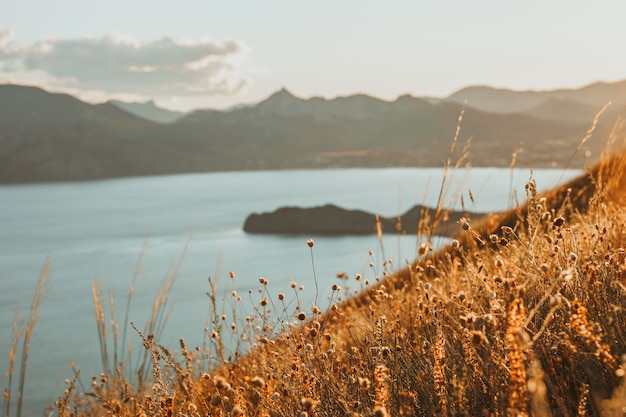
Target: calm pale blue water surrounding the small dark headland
96, 230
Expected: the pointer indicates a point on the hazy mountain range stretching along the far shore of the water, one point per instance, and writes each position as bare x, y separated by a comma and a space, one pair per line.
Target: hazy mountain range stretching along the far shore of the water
55, 137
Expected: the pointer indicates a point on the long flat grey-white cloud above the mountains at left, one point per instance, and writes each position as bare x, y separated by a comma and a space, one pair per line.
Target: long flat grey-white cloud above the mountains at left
119, 63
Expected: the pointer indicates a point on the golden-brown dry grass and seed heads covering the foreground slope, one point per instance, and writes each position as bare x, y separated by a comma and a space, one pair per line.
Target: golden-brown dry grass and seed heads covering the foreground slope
523, 314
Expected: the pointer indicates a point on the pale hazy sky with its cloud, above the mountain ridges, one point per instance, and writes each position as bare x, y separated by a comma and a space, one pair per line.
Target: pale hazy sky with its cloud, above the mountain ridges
189, 54
